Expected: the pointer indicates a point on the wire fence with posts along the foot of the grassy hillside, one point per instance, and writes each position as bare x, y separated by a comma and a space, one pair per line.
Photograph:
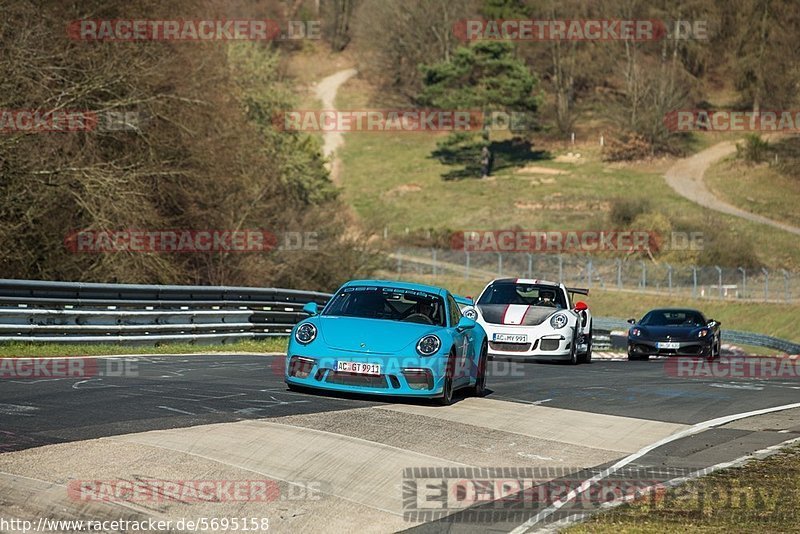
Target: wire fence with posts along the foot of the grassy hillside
698, 282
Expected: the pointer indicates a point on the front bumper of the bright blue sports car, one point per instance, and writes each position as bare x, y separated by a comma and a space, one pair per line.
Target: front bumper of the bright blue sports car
400, 376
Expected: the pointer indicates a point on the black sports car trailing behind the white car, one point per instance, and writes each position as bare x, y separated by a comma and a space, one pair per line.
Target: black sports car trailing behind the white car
673, 332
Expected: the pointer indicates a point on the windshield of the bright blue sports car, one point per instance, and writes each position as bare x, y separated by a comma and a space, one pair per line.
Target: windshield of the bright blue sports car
392, 304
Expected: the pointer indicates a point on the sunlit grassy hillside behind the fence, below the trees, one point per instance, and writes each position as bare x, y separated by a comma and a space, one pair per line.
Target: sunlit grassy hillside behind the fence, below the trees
392, 182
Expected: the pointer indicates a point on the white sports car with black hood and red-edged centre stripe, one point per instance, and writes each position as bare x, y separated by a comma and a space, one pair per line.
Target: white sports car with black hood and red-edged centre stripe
534, 319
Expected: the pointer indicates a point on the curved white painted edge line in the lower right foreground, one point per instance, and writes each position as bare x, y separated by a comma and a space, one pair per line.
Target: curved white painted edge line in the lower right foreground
694, 429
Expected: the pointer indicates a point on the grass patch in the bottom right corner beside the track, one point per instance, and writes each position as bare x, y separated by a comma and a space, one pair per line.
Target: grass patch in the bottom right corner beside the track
761, 496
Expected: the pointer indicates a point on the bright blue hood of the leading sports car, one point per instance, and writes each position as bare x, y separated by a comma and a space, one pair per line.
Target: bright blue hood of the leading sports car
370, 335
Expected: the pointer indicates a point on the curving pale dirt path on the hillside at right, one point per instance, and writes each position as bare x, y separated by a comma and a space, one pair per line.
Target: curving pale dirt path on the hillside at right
686, 178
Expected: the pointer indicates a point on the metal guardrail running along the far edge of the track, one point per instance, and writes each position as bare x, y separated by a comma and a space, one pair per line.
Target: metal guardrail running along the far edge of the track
73, 312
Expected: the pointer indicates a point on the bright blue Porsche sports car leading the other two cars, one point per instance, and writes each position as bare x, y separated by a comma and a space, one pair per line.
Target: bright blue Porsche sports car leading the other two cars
388, 338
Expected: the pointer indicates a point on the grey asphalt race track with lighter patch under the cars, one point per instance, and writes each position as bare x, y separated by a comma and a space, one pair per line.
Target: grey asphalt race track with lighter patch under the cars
346, 462
